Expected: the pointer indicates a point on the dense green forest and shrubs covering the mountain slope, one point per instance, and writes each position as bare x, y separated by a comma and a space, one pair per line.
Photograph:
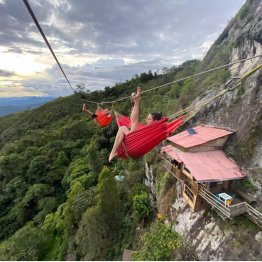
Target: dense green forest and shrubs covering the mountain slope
58, 195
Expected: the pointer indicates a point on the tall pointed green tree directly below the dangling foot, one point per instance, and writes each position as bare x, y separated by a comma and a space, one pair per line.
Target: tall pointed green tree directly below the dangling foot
100, 224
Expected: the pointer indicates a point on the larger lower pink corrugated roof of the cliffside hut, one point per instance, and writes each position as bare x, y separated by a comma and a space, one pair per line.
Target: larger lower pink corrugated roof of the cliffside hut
207, 166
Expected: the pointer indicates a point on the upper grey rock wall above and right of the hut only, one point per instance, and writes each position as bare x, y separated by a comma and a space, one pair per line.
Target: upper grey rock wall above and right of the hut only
241, 109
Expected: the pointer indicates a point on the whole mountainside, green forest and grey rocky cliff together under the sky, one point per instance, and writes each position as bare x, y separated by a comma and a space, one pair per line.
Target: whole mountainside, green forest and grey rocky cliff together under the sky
55, 191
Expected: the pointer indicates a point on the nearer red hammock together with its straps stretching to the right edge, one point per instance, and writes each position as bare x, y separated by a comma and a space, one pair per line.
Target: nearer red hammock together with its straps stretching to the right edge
141, 141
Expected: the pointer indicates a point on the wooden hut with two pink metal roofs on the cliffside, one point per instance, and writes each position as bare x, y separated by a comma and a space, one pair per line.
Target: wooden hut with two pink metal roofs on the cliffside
195, 157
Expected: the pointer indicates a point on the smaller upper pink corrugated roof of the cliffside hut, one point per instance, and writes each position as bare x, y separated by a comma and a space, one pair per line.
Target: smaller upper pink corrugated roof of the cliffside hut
203, 135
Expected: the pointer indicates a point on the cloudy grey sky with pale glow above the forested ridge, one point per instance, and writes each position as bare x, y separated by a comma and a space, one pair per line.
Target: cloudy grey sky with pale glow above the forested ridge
102, 42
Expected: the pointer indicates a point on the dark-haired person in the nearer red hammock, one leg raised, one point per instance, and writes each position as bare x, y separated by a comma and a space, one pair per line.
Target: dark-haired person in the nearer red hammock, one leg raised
123, 130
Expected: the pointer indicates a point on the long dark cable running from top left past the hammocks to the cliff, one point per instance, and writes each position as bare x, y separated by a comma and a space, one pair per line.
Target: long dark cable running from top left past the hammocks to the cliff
145, 91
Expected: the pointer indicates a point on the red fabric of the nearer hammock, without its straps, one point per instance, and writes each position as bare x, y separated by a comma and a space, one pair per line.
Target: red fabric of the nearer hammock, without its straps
145, 138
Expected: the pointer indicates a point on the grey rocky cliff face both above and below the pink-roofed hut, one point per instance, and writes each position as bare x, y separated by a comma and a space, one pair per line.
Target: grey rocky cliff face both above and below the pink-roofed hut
241, 110
